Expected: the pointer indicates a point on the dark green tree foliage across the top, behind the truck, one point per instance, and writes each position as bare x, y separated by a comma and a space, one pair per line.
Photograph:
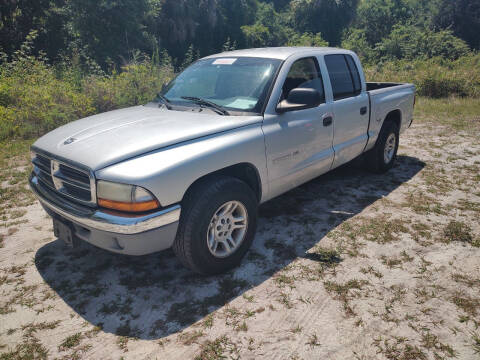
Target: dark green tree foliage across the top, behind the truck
108, 32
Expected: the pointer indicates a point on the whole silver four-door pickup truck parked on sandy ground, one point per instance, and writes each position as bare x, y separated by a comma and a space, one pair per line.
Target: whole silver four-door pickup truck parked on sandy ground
233, 130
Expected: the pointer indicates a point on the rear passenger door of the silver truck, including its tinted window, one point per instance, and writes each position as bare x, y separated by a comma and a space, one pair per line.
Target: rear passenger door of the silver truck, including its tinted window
350, 108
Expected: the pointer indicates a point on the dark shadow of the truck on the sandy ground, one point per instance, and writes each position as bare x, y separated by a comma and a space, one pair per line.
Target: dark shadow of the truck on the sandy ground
152, 296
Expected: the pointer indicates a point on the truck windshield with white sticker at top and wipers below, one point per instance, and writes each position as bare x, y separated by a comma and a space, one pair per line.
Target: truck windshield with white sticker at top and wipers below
238, 84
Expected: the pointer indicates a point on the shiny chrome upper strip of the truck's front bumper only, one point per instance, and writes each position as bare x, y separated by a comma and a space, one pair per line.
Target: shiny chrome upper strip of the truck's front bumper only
101, 220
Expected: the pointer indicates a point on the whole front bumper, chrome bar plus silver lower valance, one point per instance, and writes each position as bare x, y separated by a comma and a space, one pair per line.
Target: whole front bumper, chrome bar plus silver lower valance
121, 233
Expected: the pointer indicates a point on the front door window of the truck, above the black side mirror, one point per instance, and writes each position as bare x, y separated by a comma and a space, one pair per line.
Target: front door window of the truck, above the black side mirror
304, 73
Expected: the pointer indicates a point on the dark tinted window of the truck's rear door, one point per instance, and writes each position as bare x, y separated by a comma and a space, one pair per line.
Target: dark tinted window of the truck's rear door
342, 80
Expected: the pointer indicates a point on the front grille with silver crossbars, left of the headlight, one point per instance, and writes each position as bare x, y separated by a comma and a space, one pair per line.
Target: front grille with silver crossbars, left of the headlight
70, 181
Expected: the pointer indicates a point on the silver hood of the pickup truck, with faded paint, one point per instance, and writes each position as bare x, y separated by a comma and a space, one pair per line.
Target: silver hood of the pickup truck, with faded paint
104, 139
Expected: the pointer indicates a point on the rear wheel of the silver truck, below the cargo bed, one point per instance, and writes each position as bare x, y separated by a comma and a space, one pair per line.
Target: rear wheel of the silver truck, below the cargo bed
376, 159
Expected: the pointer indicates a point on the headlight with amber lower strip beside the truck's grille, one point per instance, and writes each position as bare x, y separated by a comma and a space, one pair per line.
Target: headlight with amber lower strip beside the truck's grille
124, 197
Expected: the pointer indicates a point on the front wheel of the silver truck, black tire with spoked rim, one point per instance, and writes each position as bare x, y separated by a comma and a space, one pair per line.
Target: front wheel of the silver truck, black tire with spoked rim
200, 205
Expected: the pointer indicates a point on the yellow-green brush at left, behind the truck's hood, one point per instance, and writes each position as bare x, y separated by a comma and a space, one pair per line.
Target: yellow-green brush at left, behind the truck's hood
36, 97
